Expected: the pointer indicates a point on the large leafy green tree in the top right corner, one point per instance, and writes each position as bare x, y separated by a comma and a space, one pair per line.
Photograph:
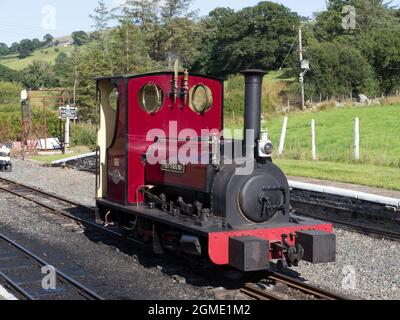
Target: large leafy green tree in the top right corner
376, 35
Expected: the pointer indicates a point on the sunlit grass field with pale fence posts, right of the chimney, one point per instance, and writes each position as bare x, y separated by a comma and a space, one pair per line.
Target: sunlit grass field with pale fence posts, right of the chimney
379, 165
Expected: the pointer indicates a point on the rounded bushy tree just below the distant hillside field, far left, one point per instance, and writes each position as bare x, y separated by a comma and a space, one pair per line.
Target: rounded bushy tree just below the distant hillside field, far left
38, 74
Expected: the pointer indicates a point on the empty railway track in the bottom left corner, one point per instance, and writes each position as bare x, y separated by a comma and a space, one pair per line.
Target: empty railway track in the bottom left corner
22, 273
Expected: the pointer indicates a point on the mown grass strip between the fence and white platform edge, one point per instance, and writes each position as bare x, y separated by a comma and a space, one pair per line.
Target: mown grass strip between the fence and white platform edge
369, 175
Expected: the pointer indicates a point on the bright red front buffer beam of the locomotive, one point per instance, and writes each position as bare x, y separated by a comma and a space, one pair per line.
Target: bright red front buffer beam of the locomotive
218, 243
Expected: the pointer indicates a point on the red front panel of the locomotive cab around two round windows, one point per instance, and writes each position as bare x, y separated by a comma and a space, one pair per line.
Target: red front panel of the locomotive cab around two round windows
140, 122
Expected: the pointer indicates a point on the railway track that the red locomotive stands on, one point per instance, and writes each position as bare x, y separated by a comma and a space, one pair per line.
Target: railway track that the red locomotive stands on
85, 216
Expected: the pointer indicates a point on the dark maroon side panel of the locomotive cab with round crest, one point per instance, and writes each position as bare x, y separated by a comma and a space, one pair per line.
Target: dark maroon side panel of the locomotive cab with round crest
117, 154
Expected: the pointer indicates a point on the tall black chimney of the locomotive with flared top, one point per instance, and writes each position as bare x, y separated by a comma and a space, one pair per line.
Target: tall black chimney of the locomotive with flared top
252, 106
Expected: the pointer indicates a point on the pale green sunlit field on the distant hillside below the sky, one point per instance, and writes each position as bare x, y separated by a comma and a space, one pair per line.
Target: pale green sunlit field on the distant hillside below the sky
42, 54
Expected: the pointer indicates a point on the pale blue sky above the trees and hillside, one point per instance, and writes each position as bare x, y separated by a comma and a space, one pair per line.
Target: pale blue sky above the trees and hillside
20, 19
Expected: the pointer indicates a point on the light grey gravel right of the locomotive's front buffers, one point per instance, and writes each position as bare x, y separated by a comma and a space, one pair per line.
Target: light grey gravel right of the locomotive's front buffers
366, 268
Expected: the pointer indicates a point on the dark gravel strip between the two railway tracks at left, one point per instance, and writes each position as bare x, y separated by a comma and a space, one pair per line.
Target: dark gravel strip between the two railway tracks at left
105, 268
